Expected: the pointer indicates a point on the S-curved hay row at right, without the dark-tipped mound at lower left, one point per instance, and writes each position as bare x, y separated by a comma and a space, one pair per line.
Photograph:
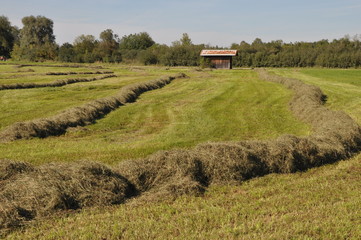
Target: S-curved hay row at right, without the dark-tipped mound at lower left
335, 136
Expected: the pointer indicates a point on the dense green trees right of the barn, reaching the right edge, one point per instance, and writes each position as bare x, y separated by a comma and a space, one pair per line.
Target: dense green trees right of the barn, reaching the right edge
342, 53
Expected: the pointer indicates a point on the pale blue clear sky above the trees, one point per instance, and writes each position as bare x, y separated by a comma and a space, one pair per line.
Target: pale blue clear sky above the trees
214, 22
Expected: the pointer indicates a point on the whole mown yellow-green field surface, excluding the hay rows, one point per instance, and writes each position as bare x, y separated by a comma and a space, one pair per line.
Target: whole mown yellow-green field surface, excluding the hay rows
322, 203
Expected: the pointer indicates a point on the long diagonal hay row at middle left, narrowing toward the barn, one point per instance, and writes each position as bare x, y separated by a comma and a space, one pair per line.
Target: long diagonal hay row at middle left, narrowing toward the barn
82, 115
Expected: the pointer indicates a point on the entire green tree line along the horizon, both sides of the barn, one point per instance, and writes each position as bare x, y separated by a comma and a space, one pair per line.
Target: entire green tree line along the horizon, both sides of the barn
36, 42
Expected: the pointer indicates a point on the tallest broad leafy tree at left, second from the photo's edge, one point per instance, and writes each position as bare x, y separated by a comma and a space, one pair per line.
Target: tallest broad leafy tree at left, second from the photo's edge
37, 40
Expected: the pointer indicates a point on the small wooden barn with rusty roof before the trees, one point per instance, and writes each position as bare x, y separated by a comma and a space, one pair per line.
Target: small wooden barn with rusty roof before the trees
221, 59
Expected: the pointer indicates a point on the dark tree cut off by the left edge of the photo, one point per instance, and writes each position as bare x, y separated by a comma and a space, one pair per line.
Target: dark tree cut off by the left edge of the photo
7, 37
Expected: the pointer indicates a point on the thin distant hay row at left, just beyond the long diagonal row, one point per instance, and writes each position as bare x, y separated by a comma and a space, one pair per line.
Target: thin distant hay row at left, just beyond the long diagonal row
56, 83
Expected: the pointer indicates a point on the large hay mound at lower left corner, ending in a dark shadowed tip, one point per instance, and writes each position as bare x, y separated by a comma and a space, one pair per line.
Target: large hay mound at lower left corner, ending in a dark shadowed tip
60, 186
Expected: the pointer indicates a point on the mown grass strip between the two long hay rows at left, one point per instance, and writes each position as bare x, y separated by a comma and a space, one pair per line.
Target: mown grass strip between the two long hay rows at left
28, 104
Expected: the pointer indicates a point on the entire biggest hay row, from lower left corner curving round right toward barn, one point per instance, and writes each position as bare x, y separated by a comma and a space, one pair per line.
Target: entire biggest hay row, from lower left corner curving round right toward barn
28, 192
